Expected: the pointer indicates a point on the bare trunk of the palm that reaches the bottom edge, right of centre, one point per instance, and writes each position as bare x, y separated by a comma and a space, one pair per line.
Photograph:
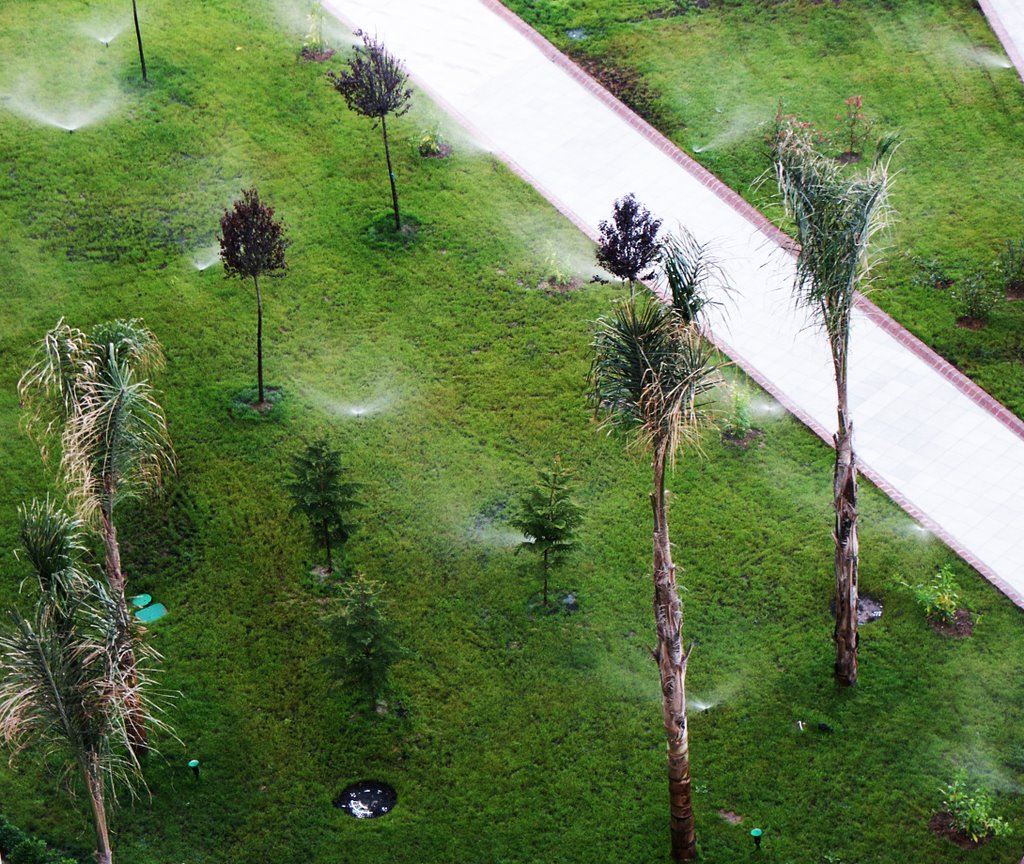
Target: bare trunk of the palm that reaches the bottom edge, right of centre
672, 669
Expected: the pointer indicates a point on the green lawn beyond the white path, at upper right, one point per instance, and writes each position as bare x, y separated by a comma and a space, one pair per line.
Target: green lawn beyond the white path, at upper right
929, 70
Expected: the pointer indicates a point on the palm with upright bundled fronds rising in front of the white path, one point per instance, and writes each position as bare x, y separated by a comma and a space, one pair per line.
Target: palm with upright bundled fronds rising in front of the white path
836, 219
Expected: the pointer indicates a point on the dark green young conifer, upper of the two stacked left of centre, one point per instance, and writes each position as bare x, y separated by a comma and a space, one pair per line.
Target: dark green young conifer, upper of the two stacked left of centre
323, 496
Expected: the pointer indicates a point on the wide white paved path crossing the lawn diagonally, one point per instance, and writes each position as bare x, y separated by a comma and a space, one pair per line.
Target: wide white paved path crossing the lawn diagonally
928, 437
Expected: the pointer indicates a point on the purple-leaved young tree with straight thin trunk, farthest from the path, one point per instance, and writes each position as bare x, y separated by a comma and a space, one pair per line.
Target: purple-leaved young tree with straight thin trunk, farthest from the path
252, 243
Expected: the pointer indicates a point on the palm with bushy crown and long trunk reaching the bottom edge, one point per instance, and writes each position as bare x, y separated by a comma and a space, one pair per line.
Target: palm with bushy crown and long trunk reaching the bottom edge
651, 378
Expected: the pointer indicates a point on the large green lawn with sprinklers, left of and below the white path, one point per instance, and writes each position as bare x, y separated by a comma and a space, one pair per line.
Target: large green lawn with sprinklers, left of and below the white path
528, 740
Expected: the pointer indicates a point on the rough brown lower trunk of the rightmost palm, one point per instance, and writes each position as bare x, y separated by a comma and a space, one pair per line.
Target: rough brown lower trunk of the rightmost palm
845, 500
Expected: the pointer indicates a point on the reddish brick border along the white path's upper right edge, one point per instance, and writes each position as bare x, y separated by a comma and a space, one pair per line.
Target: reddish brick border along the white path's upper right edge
964, 384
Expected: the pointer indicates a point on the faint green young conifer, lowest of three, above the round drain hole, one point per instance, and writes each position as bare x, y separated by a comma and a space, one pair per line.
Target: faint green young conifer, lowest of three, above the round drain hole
363, 645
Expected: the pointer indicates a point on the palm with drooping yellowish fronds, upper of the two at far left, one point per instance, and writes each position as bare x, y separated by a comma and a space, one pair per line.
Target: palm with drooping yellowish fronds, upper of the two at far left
87, 393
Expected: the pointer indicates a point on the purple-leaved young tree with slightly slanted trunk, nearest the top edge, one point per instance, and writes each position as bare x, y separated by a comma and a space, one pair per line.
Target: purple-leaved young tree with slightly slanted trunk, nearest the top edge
375, 85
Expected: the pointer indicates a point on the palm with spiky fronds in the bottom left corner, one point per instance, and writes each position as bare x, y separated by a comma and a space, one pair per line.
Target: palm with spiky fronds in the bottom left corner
69, 678
